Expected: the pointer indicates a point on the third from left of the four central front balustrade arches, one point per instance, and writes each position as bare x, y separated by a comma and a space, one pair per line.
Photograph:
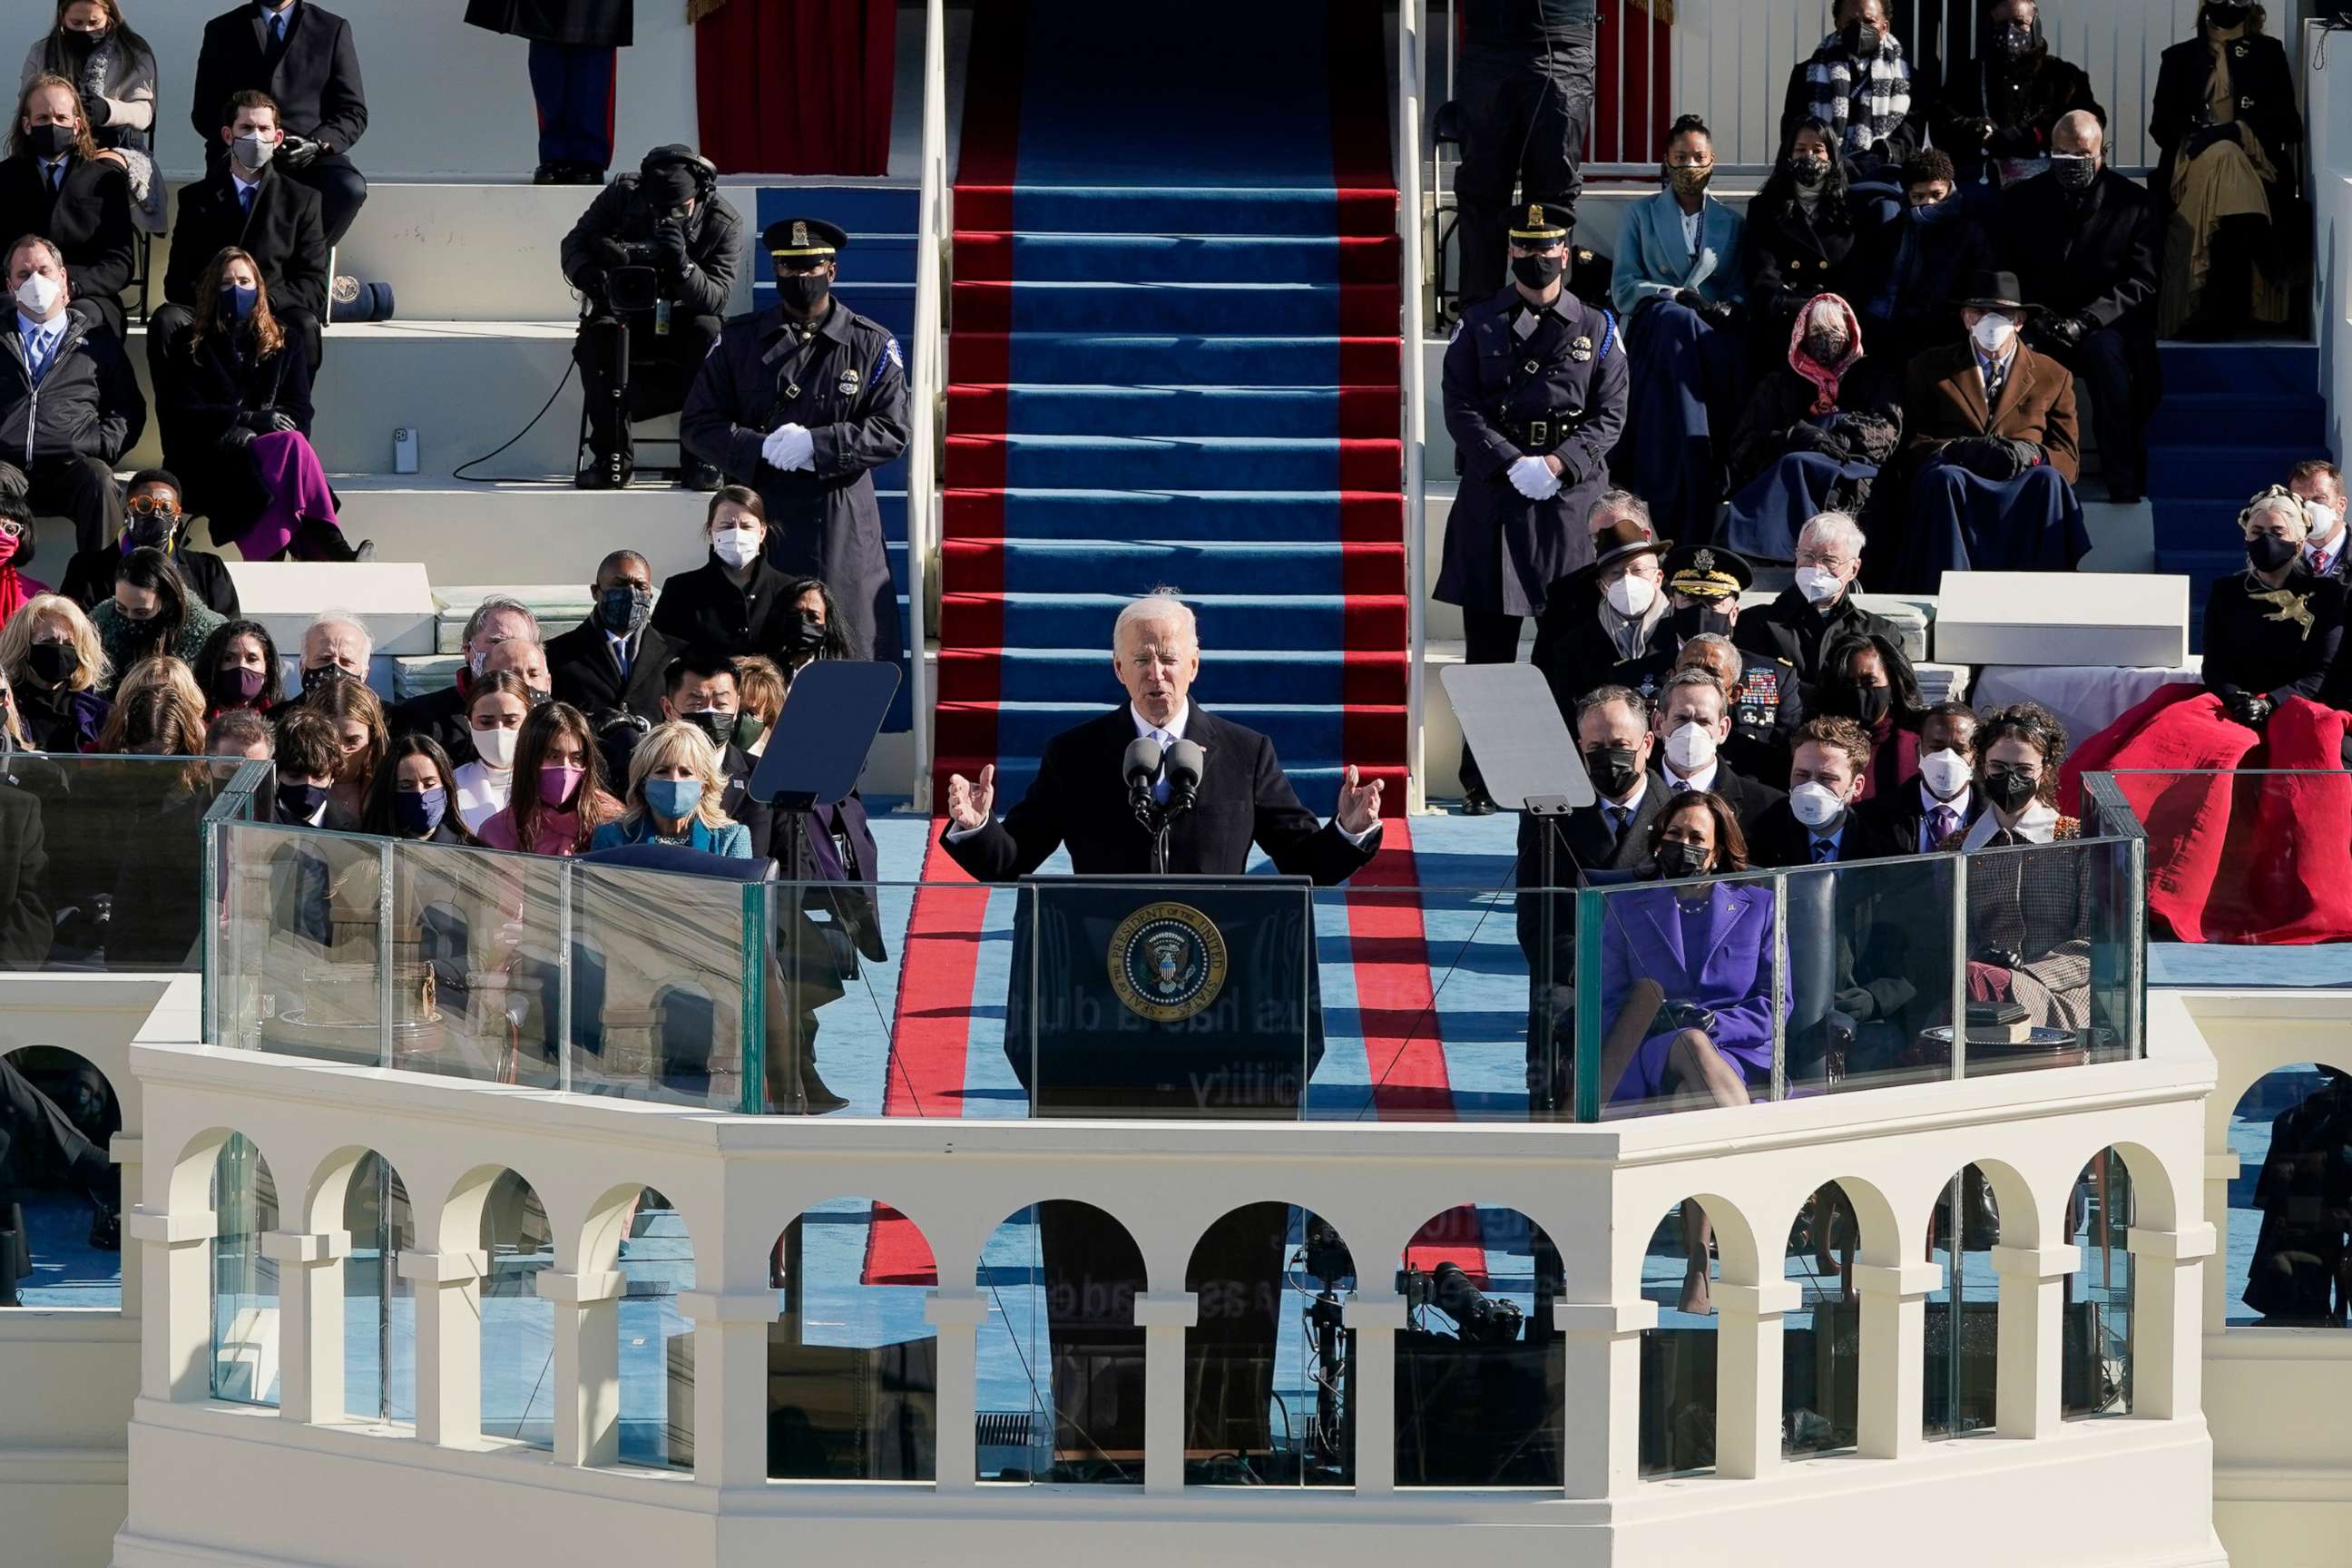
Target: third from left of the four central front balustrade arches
1267, 1362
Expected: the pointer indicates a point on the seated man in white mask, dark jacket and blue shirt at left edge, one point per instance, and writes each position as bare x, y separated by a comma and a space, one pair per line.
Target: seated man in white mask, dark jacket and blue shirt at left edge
69, 403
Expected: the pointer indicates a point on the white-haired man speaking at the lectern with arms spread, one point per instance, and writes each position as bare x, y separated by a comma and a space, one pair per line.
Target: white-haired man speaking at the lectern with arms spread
1081, 798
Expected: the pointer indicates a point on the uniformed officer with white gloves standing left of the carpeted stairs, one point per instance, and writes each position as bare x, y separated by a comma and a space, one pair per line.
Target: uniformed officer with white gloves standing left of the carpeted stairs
803, 403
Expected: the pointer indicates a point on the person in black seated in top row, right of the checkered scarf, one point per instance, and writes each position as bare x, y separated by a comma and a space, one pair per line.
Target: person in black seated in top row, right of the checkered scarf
1998, 116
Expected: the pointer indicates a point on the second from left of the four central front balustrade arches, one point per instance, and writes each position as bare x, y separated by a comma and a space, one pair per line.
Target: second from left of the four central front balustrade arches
1062, 1355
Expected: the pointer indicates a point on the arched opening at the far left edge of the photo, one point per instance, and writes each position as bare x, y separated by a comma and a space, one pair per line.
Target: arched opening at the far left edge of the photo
60, 1193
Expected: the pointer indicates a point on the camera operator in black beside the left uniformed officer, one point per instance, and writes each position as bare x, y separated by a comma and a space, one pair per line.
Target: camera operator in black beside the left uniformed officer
655, 262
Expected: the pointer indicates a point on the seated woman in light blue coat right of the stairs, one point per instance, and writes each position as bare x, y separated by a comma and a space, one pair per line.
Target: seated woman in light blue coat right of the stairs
1678, 288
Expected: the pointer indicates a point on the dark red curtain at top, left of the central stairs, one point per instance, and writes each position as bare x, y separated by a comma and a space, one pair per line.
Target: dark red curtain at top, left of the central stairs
799, 86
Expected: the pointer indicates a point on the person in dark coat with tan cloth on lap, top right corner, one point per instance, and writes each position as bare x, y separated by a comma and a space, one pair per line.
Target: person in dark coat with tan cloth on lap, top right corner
2231, 175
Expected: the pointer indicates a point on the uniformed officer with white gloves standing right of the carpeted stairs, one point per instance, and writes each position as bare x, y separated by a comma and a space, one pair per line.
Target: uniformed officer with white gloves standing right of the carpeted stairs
1535, 401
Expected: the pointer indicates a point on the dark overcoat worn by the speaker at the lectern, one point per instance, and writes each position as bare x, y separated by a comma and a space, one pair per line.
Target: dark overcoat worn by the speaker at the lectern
1078, 800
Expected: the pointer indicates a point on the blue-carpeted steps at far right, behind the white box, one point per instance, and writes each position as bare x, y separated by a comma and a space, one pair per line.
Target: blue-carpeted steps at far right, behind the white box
2236, 417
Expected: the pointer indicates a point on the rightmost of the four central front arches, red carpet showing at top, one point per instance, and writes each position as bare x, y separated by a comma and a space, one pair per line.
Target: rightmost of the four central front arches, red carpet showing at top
1481, 1365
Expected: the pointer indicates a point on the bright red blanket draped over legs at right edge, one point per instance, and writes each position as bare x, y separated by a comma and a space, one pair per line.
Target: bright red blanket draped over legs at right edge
2233, 855
